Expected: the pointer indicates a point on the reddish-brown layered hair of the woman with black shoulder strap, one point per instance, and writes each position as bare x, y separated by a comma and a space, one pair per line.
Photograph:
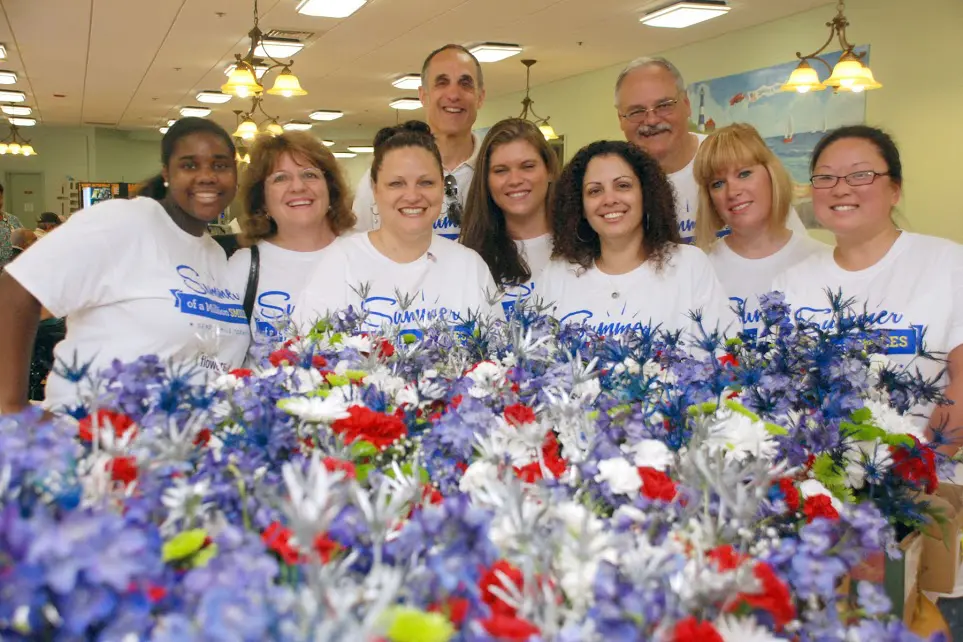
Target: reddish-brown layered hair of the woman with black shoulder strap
305, 149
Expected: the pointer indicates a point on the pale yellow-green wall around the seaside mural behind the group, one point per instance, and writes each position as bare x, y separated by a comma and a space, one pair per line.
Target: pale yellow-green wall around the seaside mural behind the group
915, 54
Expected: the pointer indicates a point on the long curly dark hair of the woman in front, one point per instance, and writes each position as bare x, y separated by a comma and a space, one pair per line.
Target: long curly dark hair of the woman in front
574, 239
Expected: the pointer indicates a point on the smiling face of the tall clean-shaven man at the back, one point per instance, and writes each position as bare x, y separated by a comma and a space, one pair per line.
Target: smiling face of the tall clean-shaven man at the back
452, 95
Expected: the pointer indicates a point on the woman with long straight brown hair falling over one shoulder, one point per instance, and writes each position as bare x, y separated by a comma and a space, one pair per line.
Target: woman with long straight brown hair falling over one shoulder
506, 218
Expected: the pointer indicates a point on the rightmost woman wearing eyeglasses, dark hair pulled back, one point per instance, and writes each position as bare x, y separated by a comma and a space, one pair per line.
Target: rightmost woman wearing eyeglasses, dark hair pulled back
910, 285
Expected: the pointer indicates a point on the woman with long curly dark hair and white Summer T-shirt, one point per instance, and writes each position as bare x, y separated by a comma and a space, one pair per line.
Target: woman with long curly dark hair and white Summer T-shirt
619, 265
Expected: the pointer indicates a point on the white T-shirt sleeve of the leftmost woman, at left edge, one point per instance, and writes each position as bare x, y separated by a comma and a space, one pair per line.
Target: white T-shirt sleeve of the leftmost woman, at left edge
75, 266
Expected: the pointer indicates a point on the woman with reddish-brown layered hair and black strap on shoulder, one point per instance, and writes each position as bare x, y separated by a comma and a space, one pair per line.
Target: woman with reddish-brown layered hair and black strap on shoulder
296, 202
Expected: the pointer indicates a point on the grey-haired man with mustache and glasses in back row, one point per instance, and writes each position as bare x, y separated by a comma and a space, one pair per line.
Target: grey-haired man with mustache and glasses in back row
654, 113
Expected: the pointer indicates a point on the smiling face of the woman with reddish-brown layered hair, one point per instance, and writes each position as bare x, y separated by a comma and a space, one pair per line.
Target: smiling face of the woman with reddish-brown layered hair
296, 193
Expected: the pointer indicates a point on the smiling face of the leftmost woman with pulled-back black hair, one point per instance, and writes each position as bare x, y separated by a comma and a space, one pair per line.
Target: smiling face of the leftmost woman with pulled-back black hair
202, 176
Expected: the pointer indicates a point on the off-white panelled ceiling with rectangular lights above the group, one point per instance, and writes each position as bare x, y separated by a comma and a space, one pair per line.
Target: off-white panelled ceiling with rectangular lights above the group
132, 64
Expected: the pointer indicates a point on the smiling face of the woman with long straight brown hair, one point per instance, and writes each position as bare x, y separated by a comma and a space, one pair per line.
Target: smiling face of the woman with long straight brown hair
518, 180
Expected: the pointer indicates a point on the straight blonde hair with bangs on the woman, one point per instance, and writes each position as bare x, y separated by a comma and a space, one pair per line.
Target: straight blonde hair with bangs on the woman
738, 145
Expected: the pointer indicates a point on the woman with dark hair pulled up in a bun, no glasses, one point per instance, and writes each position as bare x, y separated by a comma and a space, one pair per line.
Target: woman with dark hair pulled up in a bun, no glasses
401, 274
